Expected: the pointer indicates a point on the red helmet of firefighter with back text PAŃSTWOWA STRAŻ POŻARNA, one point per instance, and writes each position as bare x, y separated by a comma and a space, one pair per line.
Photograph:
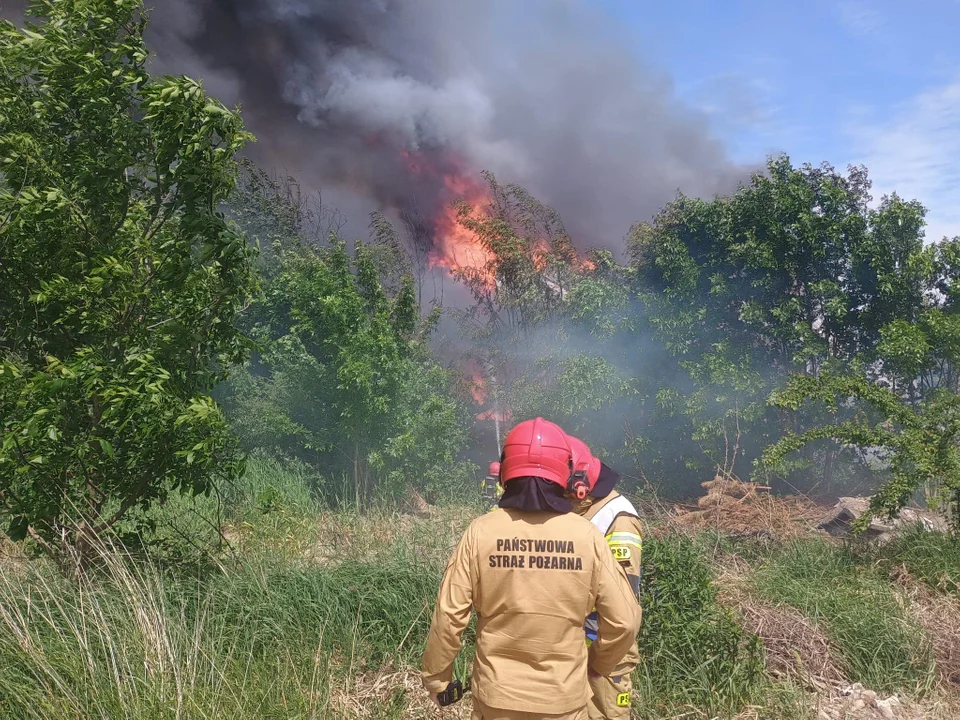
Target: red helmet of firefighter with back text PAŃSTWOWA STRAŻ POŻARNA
536, 448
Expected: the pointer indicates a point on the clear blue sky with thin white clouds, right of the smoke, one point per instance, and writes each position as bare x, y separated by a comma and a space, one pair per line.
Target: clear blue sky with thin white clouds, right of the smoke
849, 81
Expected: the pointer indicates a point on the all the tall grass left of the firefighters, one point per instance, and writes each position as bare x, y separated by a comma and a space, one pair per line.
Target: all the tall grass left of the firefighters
279, 628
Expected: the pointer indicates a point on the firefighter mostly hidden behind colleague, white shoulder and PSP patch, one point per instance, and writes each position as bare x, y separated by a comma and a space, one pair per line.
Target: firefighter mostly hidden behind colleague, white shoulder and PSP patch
616, 518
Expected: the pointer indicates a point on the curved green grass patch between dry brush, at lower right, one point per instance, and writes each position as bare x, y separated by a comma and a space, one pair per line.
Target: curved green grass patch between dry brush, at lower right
857, 607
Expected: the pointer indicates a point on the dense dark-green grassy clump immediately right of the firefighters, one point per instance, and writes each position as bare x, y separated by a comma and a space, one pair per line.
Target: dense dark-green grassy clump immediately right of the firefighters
692, 650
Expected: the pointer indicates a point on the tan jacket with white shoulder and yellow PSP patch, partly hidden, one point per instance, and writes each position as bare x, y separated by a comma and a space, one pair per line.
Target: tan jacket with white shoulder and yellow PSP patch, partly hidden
617, 519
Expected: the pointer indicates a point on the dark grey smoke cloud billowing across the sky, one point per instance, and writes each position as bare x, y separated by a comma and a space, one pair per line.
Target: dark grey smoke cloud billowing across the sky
550, 94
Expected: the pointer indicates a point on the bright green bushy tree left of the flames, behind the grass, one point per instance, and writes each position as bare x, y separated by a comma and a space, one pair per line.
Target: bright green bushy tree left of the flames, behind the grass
343, 377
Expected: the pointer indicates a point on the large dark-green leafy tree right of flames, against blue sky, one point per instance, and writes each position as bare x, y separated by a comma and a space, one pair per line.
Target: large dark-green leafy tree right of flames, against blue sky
793, 273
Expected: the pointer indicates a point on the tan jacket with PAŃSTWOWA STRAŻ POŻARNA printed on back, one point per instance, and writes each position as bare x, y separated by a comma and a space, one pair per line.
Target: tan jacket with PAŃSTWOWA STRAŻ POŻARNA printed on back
532, 579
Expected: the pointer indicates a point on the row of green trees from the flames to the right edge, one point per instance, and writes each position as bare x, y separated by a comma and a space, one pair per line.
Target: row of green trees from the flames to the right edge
670, 361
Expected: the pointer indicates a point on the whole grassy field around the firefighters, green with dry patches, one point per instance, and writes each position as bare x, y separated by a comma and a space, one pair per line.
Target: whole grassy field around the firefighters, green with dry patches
314, 613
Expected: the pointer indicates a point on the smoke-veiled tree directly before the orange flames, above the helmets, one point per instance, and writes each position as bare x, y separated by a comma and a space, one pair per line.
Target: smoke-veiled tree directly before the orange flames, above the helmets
532, 297
